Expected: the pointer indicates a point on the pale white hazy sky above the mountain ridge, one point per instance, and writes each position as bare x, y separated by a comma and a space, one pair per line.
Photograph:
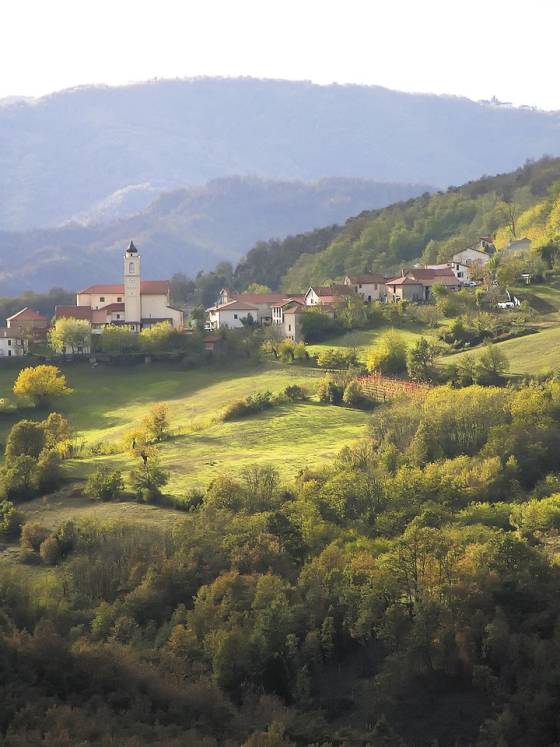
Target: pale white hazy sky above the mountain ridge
475, 48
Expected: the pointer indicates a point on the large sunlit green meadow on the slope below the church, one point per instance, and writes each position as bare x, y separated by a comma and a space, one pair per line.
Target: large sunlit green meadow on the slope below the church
108, 402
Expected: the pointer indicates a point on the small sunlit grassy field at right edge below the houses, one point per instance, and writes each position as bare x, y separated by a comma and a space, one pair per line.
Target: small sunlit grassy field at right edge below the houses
532, 354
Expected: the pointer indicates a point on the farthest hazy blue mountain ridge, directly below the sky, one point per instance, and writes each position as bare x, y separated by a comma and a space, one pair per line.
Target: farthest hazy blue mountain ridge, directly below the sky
64, 153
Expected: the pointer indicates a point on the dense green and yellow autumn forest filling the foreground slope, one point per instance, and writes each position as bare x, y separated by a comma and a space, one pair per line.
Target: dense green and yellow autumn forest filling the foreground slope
404, 595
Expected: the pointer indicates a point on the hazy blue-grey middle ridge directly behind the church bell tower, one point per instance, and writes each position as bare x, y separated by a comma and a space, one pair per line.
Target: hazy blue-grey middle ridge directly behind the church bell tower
186, 230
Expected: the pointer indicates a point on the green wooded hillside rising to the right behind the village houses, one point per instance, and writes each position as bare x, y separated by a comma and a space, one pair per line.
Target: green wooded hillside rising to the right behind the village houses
428, 228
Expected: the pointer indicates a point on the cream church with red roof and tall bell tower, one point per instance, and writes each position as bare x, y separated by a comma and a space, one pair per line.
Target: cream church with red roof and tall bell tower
134, 303
